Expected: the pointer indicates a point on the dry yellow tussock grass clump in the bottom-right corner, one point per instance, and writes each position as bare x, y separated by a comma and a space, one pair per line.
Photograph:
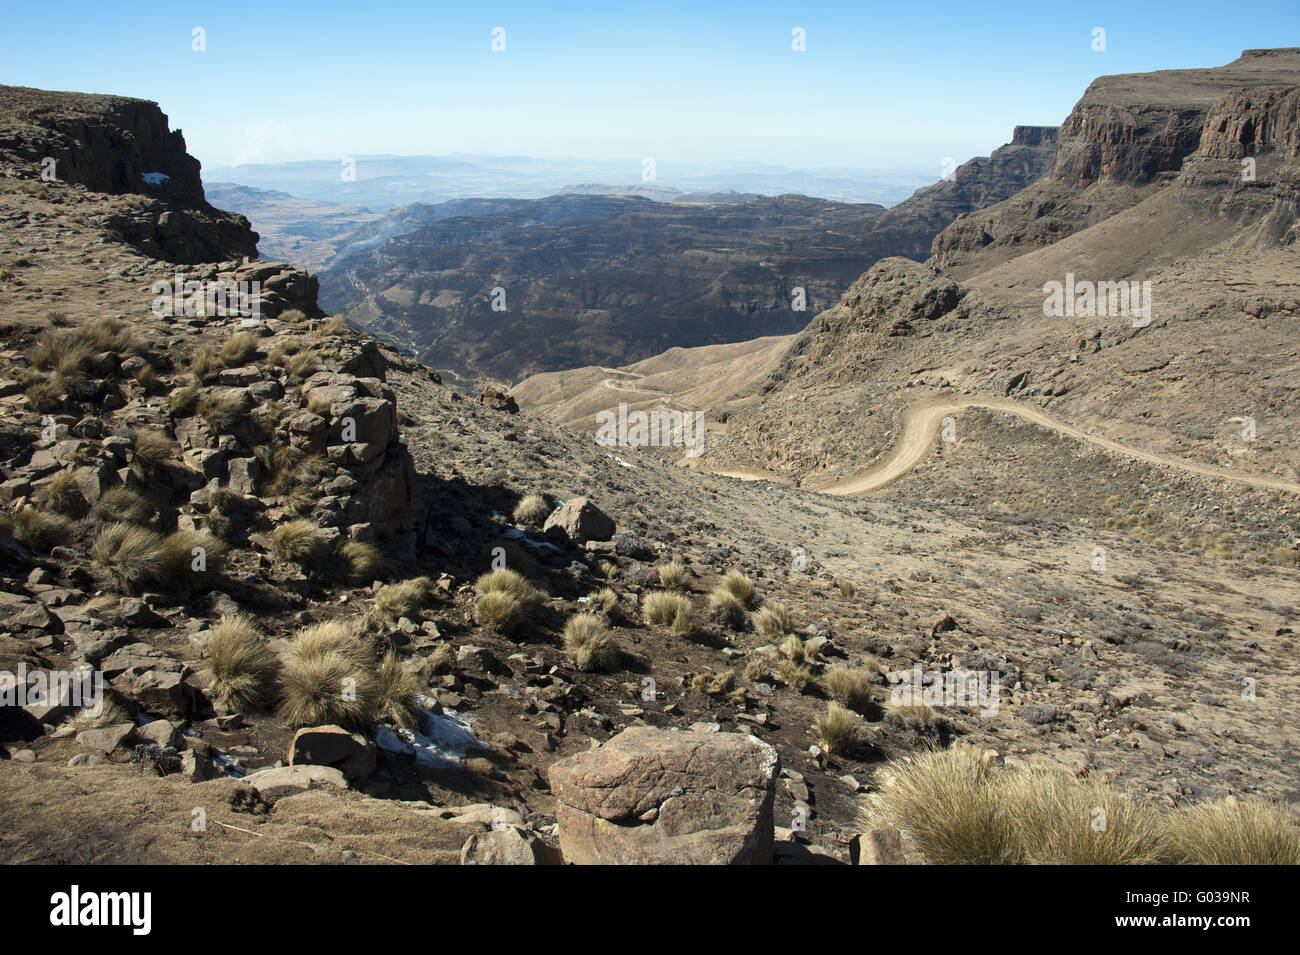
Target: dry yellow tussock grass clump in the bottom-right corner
1232, 832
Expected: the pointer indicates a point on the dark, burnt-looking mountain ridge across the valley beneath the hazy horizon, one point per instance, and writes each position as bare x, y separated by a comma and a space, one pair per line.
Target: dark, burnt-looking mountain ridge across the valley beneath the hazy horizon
610, 281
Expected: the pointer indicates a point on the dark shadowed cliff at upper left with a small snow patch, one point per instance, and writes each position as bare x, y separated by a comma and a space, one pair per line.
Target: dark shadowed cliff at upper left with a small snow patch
120, 146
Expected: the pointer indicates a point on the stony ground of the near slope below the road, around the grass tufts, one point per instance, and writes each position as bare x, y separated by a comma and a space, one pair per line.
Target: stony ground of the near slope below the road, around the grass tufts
1168, 668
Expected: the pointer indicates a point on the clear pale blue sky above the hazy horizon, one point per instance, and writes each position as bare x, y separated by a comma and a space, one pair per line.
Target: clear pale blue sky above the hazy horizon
882, 86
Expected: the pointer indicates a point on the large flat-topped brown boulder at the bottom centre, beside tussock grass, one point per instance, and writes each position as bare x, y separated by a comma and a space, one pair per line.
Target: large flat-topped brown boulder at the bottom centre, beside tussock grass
664, 797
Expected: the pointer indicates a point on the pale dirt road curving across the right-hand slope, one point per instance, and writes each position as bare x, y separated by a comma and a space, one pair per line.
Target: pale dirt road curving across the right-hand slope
921, 432
